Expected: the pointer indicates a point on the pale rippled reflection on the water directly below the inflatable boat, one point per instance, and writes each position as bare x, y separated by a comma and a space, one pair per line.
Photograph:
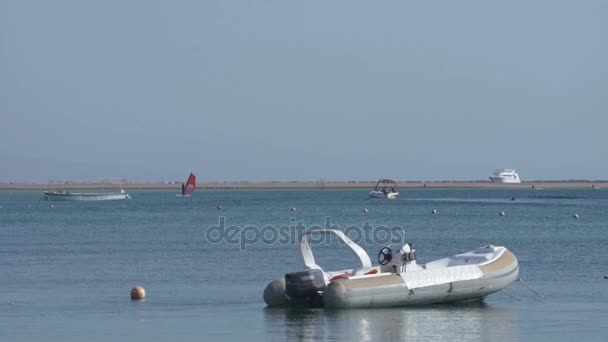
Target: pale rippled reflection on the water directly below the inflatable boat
479, 322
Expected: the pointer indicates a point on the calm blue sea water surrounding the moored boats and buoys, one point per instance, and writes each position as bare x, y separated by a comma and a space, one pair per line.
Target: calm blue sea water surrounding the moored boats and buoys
66, 272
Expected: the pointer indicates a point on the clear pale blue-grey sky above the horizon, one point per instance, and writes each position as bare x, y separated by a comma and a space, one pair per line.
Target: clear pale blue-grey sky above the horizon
302, 90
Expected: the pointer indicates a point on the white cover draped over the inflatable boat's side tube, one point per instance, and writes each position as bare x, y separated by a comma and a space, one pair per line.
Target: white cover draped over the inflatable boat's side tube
423, 278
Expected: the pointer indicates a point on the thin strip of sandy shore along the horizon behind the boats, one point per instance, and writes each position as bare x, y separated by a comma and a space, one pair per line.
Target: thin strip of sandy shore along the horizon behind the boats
313, 185
